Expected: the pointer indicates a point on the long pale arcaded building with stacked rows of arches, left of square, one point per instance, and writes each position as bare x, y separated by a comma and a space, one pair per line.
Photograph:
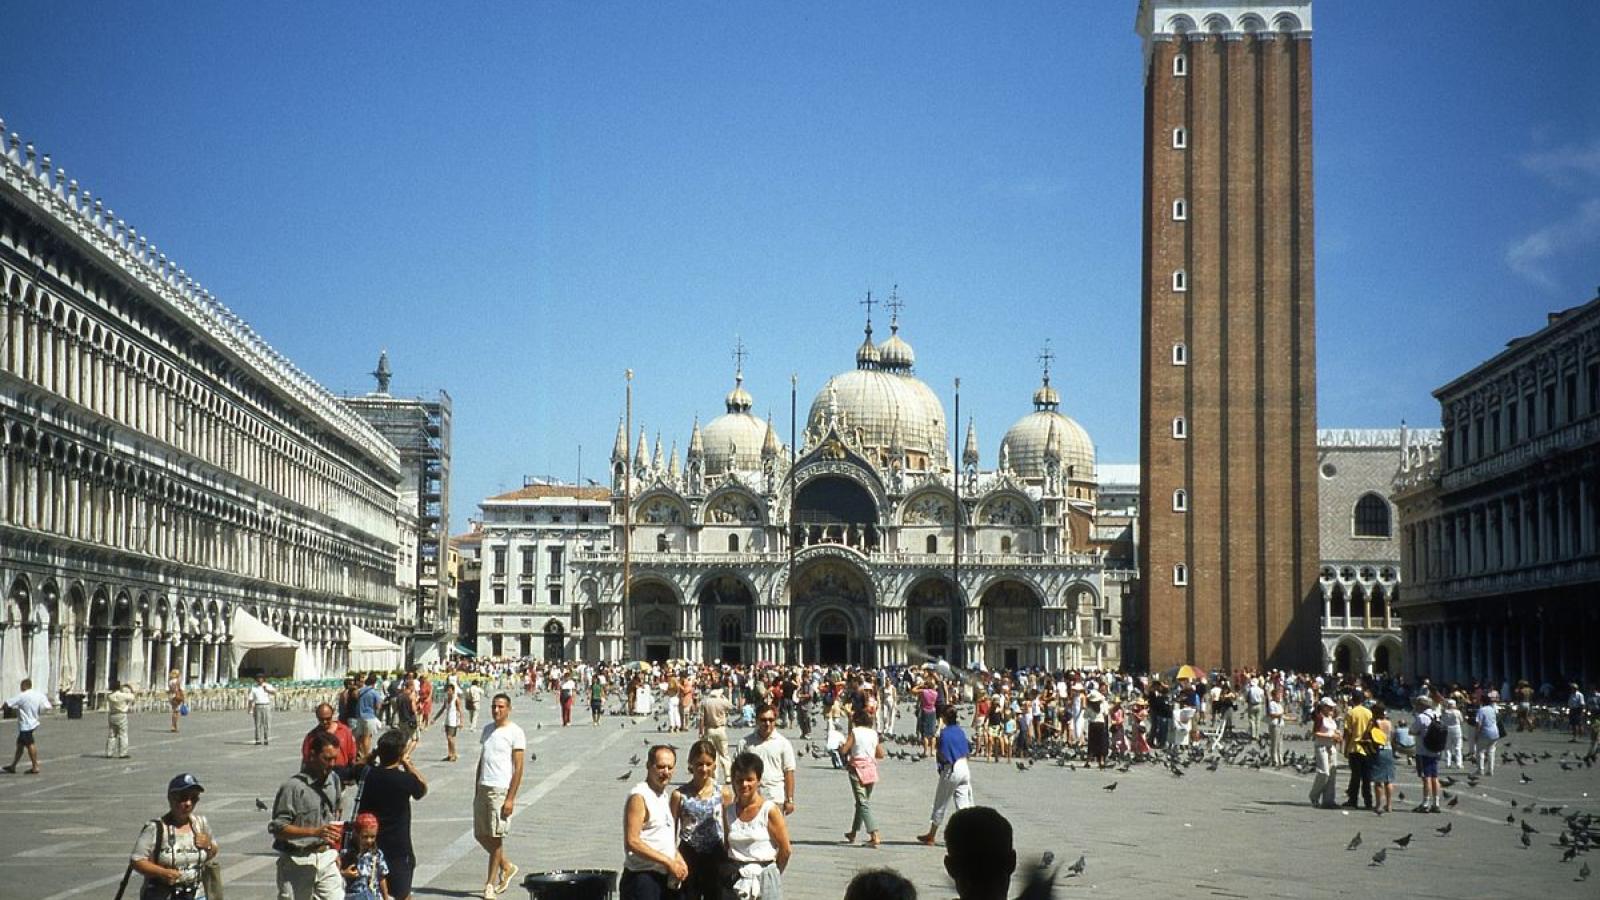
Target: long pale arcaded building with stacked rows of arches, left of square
162, 467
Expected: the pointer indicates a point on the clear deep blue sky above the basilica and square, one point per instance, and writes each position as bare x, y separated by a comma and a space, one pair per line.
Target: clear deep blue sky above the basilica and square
524, 203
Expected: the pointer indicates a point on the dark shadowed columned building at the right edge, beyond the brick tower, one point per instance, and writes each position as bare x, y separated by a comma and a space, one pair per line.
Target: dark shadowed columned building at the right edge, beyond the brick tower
1500, 526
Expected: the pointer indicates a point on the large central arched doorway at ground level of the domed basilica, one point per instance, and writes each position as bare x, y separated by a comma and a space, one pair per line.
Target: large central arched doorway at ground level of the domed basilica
831, 609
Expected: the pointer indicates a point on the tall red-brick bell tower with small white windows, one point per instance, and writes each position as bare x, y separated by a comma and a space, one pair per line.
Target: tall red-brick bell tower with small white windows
1230, 392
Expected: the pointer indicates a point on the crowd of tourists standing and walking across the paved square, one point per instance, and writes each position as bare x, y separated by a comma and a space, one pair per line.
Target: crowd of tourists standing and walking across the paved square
342, 824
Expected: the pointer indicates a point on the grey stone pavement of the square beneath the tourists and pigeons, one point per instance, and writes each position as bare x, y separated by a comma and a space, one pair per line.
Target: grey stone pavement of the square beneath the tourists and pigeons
1231, 834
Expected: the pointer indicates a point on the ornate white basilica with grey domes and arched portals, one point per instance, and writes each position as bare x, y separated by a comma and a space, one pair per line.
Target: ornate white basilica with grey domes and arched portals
868, 544
